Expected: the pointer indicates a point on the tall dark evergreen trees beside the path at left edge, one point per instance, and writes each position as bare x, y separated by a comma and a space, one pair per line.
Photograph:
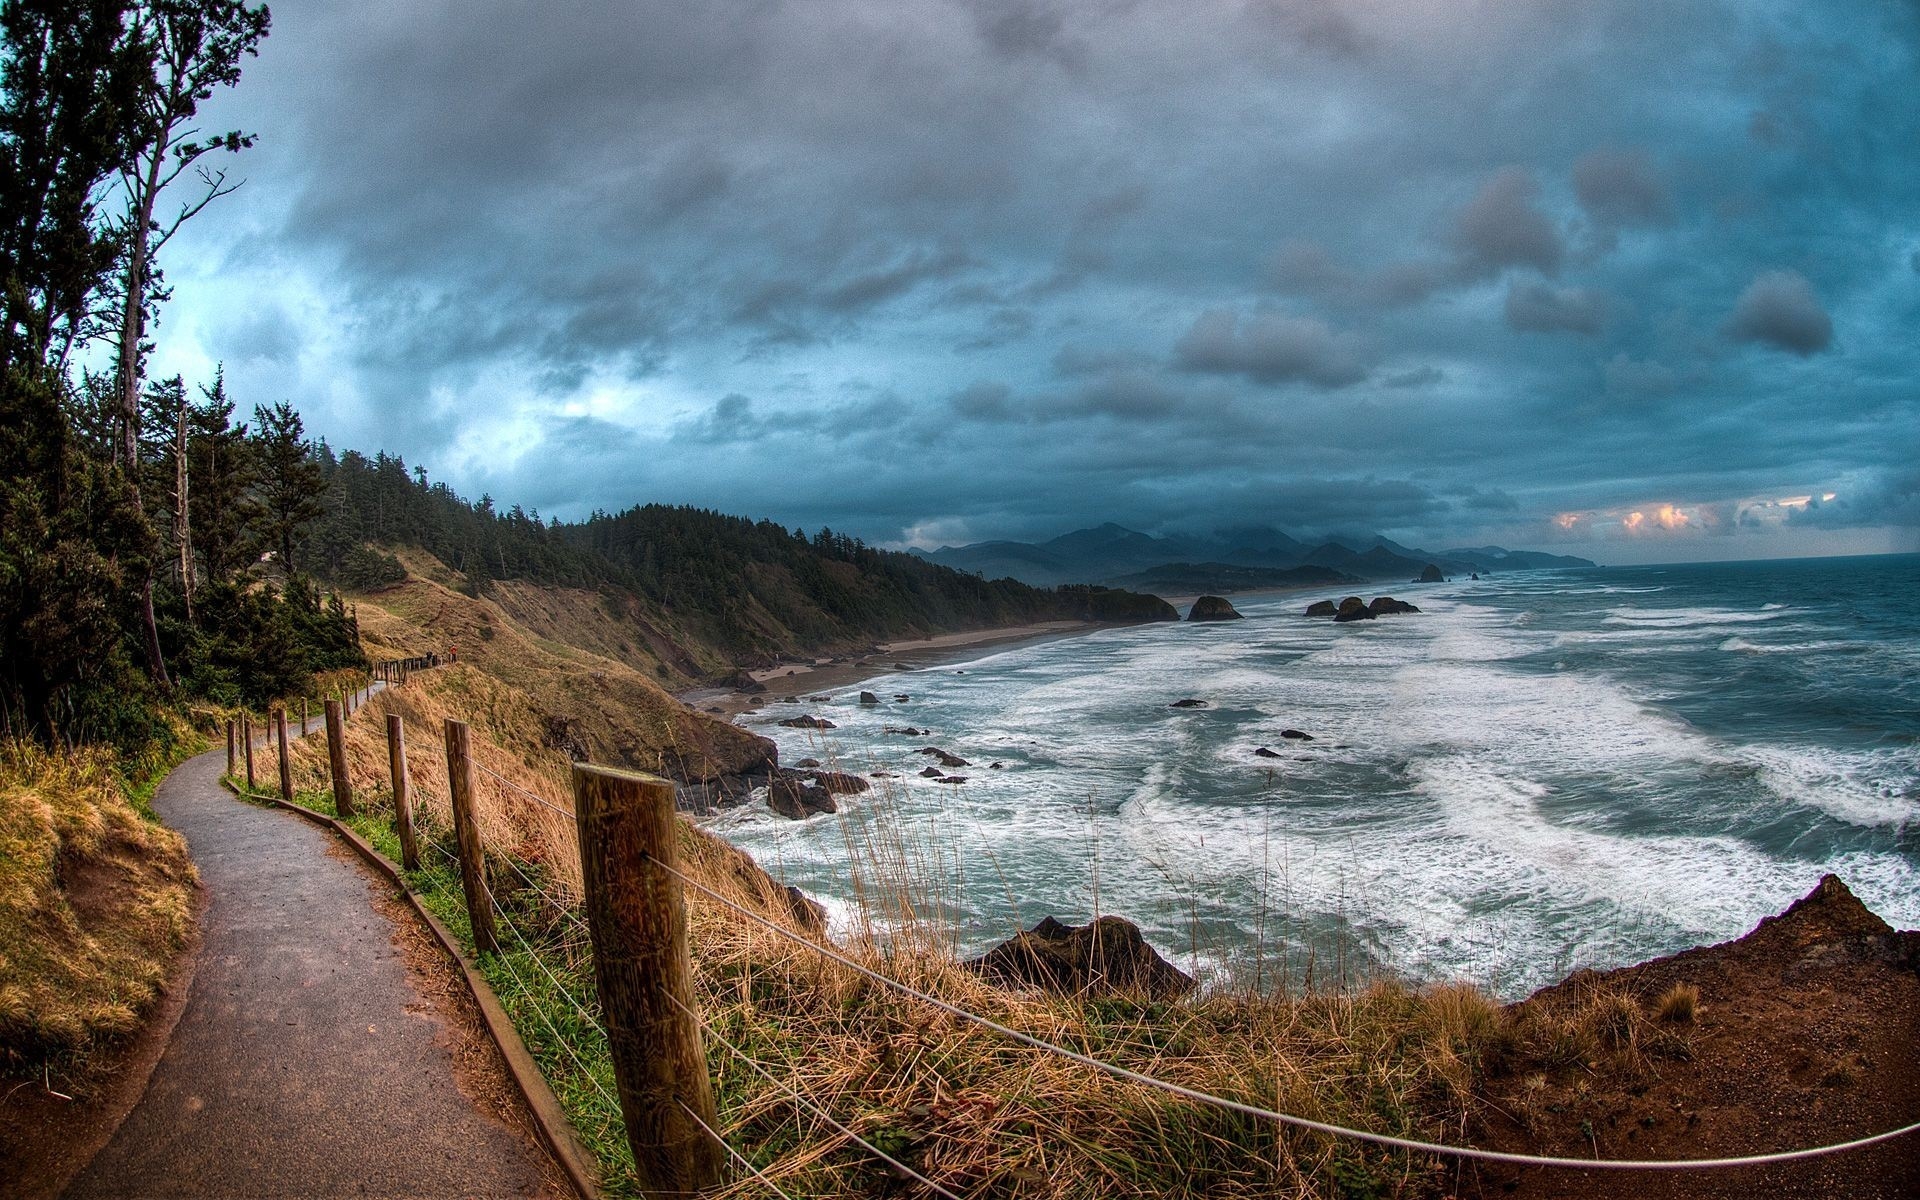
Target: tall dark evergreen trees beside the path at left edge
147, 539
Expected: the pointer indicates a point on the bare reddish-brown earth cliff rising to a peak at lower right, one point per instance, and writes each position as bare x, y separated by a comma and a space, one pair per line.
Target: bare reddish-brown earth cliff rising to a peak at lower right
1800, 1034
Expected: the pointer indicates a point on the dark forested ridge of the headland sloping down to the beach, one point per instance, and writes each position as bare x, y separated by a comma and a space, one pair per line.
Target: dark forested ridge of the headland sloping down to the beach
746, 588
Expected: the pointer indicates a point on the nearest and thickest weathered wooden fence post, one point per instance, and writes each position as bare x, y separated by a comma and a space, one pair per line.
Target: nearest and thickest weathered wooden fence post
638, 923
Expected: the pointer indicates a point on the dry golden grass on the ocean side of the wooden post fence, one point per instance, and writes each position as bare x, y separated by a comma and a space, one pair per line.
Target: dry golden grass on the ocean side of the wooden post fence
963, 1105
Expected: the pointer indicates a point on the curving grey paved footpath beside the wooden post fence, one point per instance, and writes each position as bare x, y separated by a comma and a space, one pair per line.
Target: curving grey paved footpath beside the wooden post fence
306, 1065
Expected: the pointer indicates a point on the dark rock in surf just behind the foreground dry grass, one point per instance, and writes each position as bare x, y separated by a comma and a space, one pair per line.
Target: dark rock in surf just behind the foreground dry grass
1107, 955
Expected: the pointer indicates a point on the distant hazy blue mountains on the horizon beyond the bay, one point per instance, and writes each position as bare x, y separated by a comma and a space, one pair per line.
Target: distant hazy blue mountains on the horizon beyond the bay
1226, 560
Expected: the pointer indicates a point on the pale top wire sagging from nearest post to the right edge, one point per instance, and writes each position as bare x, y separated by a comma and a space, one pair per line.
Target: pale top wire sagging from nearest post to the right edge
1287, 1118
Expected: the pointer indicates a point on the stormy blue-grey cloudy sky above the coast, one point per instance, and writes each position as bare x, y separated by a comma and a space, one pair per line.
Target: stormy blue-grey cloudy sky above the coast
1633, 279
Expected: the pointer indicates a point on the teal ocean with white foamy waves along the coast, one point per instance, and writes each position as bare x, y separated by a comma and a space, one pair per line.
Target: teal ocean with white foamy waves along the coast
1537, 773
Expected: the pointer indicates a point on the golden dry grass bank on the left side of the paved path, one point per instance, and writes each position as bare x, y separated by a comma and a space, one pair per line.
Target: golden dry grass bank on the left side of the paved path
95, 903
